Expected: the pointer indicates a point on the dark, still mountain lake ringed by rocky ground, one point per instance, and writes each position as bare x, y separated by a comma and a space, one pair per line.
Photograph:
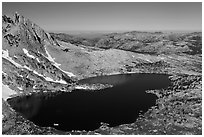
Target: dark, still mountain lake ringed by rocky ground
85, 110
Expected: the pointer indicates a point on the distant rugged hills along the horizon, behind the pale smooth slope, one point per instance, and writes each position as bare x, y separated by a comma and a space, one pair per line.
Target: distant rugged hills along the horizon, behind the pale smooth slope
142, 42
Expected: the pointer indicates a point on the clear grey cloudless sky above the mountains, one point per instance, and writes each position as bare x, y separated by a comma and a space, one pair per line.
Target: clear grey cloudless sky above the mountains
110, 16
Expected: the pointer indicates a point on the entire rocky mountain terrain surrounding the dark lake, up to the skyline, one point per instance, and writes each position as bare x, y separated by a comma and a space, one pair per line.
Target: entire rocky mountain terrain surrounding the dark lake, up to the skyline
35, 61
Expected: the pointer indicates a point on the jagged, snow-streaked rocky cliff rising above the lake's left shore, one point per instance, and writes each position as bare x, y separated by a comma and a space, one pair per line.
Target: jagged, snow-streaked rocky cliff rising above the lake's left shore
26, 64
